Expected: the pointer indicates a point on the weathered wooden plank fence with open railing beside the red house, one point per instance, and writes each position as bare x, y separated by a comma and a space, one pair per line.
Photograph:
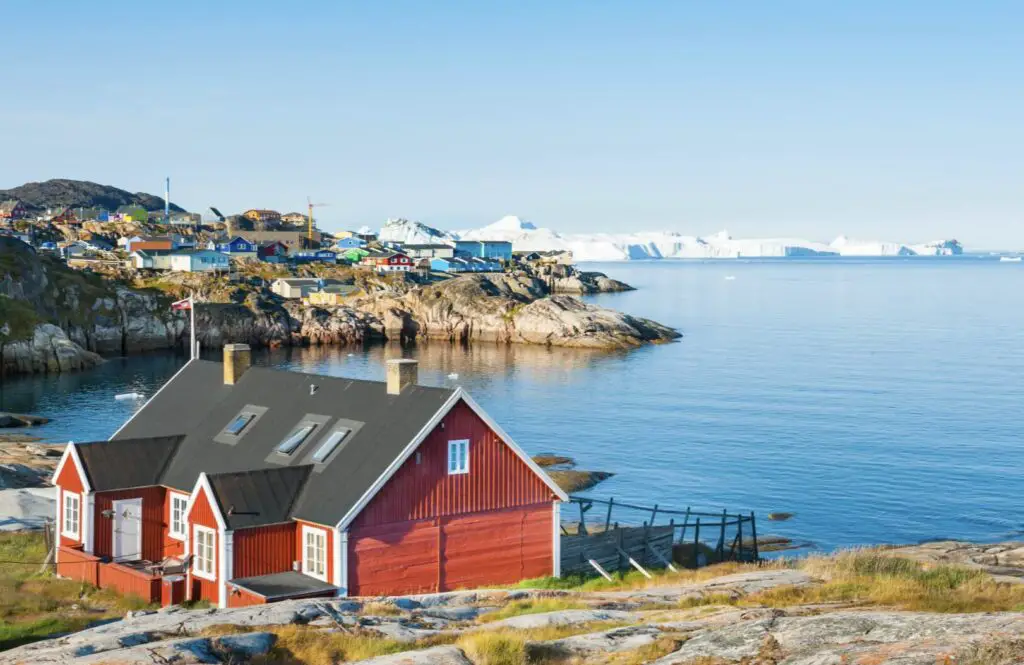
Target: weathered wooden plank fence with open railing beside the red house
690, 537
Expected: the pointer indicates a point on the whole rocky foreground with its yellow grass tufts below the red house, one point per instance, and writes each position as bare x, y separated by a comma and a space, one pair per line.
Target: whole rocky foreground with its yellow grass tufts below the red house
728, 615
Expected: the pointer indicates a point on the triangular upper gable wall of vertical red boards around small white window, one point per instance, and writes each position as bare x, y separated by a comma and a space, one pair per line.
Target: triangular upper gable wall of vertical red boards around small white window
422, 488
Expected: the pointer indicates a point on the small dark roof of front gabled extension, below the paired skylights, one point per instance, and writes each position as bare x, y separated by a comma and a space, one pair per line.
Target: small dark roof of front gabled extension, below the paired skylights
259, 498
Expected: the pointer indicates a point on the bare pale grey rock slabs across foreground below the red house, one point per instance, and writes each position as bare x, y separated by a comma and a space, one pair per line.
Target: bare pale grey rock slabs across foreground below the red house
654, 629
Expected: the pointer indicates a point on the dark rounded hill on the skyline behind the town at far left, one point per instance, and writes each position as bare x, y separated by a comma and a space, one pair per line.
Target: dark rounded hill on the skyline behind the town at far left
38, 197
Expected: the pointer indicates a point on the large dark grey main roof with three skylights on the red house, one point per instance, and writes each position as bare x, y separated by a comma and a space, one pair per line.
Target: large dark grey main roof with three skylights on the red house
198, 403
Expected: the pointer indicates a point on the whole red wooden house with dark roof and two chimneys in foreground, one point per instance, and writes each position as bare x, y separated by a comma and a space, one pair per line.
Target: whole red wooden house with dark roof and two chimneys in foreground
244, 485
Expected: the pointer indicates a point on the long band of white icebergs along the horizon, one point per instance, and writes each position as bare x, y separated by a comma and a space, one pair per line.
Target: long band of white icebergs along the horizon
527, 237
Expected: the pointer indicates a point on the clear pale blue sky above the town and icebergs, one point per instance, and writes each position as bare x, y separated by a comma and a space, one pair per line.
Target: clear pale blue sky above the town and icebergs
902, 120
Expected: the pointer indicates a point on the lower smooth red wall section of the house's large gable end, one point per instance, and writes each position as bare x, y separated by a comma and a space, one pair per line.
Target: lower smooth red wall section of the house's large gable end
449, 554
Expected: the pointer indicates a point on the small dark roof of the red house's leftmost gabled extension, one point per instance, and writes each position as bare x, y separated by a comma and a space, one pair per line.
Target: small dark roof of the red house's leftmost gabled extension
127, 463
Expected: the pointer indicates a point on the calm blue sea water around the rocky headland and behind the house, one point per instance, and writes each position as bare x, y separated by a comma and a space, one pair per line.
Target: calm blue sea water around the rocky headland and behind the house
879, 400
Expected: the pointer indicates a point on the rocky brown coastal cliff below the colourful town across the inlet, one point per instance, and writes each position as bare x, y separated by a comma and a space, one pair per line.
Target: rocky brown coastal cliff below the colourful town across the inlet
54, 319
